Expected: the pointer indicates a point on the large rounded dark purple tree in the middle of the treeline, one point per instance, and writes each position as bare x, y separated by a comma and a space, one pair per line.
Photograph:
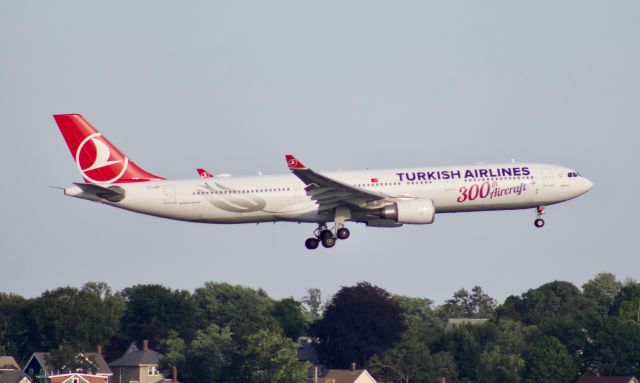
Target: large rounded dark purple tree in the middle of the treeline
360, 321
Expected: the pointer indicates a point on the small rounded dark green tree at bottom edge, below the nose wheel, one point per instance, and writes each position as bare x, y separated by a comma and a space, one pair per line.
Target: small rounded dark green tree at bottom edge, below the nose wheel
548, 361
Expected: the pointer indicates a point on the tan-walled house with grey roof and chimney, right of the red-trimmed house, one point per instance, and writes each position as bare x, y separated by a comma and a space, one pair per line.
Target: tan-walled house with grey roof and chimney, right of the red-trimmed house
139, 366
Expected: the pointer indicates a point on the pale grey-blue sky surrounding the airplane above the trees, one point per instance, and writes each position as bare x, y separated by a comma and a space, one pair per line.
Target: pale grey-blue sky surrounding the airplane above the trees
233, 86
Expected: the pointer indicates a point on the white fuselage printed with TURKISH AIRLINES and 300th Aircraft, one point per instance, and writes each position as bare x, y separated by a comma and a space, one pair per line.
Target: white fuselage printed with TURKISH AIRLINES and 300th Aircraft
284, 198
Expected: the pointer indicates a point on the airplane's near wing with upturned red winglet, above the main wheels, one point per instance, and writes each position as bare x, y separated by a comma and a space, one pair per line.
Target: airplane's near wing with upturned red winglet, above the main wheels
330, 193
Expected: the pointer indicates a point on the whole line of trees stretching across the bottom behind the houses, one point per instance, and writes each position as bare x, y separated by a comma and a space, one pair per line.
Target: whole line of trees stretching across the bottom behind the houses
225, 333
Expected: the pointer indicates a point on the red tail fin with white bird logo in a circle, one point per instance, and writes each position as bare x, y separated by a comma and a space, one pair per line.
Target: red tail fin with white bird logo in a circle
97, 159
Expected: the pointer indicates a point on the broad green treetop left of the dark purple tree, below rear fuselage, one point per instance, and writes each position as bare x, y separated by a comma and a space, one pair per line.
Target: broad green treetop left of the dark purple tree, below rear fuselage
243, 309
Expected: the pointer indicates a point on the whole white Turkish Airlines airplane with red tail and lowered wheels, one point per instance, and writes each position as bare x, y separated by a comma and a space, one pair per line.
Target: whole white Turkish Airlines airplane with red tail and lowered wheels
377, 198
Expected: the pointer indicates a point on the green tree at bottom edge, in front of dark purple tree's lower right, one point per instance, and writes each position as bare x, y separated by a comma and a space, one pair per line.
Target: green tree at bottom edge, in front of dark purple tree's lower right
409, 360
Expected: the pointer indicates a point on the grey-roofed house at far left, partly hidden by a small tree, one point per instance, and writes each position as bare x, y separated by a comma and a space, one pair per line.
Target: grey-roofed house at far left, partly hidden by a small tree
39, 366
